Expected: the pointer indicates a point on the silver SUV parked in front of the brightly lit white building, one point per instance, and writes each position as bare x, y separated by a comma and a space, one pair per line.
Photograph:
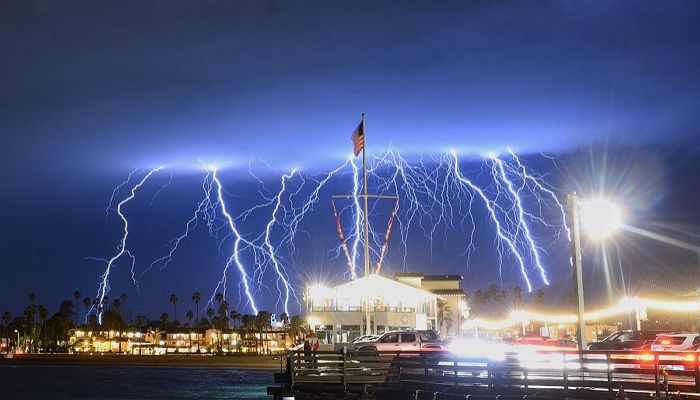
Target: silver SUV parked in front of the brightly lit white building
410, 340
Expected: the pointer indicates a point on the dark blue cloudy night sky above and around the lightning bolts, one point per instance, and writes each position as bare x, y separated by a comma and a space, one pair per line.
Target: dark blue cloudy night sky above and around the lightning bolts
597, 96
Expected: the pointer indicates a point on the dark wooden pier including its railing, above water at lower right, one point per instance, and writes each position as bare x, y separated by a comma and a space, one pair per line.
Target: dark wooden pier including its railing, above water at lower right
548, 374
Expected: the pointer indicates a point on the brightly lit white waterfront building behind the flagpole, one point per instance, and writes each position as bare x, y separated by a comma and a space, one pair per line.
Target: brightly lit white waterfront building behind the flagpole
411, 301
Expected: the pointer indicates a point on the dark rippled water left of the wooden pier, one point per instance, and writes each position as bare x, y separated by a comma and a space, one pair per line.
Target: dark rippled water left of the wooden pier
99, 382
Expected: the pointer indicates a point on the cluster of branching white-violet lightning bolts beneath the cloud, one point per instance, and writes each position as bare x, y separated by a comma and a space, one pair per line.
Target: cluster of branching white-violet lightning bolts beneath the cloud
436, 195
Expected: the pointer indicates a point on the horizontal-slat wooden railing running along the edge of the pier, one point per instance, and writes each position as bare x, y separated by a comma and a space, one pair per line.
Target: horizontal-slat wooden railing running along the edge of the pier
553, 369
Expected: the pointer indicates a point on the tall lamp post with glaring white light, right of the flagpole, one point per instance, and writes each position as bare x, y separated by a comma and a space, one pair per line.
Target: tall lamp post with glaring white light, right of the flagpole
599, 218
